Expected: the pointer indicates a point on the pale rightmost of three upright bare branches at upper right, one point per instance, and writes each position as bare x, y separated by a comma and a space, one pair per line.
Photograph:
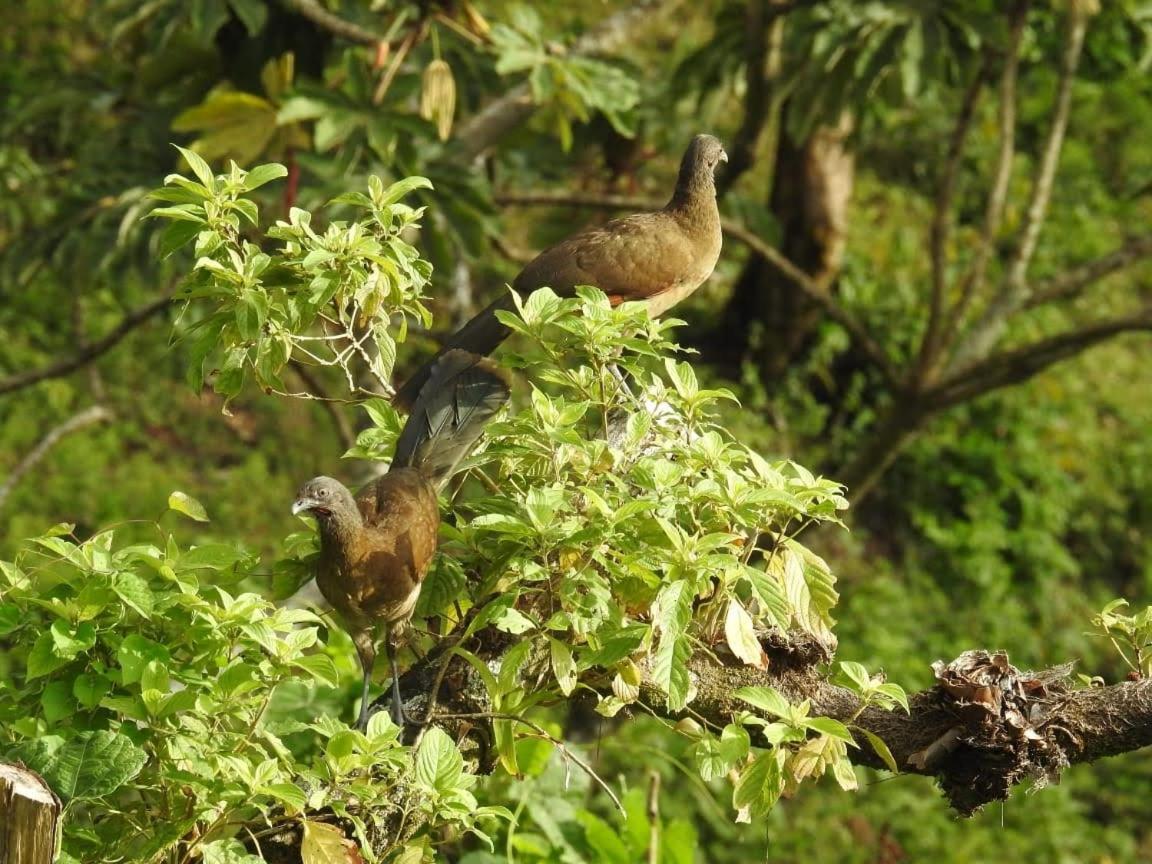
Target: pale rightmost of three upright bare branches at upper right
1014, 293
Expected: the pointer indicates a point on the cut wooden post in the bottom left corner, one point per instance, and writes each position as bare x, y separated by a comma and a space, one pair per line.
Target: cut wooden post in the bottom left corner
29, 816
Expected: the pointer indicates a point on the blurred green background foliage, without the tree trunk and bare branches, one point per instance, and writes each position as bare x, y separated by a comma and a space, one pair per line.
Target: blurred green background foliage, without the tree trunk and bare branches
1009, 522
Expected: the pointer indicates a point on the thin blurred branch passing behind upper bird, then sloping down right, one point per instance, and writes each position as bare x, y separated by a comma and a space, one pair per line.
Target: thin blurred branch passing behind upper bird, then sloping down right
814, 289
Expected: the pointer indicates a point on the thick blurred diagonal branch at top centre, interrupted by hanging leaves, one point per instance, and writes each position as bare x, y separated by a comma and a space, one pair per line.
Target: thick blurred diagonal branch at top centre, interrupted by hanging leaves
501, 117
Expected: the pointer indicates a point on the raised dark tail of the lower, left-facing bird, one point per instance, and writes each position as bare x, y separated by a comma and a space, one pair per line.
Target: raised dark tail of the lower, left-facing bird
463, 393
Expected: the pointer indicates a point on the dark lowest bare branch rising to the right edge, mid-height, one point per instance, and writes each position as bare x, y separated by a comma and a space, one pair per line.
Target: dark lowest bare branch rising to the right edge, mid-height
1020, 365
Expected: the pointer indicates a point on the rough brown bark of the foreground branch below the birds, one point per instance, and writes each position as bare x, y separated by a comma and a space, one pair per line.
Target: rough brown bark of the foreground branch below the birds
983, 730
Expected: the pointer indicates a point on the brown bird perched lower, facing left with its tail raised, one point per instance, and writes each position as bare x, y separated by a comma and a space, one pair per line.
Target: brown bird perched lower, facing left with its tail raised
376, 548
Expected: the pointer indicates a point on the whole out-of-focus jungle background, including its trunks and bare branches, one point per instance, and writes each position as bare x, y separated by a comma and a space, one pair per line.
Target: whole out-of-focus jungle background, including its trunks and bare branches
936, 289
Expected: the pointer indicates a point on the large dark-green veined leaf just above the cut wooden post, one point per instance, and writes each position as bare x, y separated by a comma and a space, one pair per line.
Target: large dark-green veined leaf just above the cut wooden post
89, 767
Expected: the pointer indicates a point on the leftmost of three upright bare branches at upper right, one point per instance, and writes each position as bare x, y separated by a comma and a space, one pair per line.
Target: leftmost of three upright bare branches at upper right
942, 217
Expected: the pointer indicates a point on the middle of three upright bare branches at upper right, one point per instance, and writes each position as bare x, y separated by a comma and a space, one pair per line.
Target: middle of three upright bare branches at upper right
994, 214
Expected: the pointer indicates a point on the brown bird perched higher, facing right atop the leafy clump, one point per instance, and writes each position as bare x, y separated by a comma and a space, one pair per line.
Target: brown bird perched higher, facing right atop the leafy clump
660, 259
